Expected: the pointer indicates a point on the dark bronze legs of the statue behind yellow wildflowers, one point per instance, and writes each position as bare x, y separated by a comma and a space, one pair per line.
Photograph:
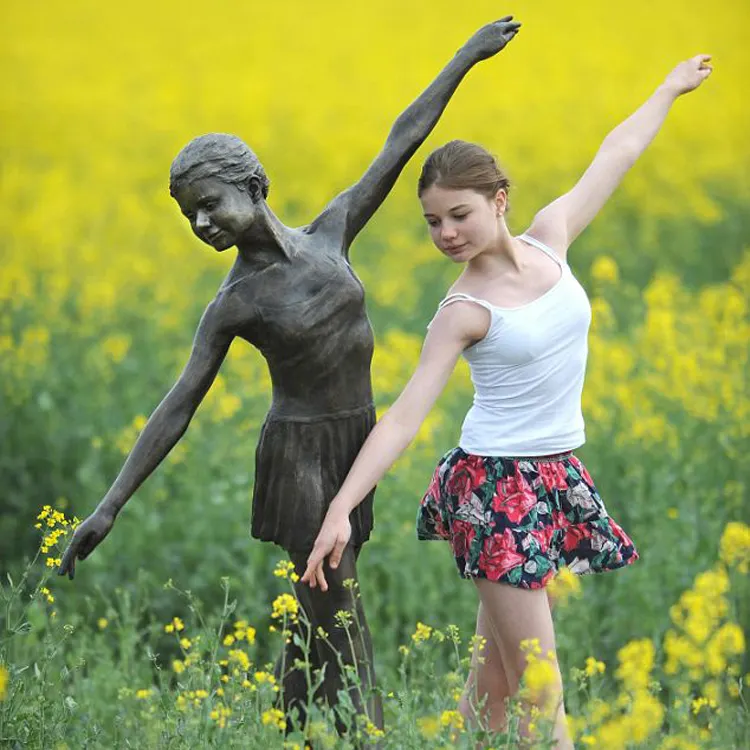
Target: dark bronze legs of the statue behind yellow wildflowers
344, 649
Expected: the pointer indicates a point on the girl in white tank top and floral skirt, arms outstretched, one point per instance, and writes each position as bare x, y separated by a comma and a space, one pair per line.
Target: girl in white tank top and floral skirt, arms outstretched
514, 501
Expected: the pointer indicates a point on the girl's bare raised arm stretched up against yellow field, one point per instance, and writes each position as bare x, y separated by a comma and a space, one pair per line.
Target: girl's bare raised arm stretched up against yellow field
559, 223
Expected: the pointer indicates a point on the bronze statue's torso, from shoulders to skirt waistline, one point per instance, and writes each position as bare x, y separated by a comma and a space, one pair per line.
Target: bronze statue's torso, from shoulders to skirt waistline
310, 324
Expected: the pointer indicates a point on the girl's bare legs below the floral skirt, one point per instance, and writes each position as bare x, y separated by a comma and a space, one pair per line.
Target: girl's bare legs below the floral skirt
514, 615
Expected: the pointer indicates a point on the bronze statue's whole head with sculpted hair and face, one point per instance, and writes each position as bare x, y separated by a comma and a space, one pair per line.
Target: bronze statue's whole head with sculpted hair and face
219, 185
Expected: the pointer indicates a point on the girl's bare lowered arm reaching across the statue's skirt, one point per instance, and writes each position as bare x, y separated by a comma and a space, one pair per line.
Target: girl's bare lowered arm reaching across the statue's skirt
451, 332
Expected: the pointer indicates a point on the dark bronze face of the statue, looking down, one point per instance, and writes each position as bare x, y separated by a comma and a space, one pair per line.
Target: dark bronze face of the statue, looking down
219, 213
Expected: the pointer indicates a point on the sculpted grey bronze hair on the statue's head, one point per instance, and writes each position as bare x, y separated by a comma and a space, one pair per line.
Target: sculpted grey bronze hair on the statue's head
220, 155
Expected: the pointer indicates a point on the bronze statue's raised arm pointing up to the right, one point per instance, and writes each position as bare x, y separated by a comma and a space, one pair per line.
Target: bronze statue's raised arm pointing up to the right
358, 203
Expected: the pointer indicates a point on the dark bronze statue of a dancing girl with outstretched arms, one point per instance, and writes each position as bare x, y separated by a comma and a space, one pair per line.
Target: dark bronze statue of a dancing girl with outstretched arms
292, 294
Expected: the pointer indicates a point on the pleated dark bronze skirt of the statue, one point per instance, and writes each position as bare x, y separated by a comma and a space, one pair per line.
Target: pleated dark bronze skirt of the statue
299, 466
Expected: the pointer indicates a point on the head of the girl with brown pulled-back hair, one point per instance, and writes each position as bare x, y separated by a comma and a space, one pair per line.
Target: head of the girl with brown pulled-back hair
464, 195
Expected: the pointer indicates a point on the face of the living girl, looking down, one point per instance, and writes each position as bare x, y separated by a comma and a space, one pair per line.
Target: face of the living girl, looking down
463, 223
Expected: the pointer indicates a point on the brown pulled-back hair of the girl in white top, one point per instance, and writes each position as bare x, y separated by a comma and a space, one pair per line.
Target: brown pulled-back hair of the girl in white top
459, 165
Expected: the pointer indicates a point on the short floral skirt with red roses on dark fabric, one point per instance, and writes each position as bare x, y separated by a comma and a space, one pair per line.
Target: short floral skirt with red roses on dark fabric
518, 520
